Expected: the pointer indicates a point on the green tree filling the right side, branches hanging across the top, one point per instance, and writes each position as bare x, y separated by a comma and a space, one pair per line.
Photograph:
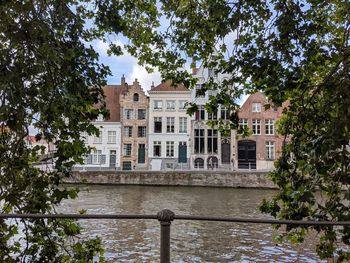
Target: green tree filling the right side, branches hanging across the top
296, 51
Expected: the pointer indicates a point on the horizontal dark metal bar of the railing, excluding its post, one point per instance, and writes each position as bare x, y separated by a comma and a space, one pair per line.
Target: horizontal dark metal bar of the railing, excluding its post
179, 217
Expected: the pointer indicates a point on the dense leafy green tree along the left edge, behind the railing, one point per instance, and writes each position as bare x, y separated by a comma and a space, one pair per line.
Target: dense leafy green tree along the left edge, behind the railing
49, 79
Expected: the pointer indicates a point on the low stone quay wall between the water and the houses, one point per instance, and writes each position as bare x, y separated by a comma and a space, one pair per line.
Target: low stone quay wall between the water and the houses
233, 179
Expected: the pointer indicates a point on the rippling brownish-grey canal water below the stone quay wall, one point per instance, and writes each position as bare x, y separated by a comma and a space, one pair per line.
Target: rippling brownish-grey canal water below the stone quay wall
191, 241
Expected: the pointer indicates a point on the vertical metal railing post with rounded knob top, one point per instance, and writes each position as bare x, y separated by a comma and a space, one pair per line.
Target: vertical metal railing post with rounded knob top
165, 217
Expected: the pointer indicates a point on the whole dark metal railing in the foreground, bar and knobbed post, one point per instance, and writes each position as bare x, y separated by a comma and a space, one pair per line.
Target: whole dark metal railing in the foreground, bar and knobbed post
166, 216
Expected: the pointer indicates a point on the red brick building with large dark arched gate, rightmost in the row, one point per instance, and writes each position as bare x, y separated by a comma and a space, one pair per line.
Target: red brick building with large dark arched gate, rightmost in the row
259, 150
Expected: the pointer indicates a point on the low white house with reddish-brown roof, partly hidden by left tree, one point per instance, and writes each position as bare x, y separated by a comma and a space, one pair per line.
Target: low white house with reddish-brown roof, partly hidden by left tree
107, 146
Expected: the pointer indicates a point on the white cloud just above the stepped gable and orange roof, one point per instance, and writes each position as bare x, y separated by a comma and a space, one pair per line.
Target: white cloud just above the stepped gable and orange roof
144, 78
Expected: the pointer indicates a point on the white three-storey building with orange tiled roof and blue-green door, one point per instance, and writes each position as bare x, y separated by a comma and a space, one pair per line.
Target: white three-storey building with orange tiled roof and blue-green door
169, 127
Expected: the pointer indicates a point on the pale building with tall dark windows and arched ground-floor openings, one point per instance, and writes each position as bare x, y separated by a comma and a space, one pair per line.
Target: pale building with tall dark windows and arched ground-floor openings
209, 148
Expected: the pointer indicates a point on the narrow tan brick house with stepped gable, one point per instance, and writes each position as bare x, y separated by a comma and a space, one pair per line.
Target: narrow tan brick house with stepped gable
134, 118
